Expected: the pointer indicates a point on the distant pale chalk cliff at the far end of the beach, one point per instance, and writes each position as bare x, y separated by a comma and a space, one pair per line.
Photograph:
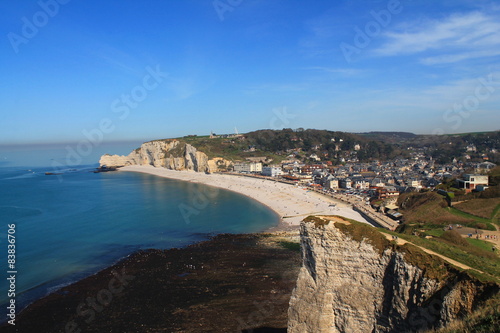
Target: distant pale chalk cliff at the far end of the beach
173, 154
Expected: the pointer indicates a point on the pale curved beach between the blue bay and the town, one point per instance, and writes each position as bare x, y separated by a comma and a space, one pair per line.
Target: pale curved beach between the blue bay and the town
291, 203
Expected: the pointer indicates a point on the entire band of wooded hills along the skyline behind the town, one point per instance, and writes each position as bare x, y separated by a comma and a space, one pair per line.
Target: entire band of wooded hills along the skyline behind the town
311, 145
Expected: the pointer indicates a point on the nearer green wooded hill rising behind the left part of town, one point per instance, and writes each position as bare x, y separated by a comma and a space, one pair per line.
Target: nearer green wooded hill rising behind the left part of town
283, 144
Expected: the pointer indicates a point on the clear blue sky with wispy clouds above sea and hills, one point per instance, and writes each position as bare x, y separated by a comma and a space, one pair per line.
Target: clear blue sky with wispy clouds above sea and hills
195, 66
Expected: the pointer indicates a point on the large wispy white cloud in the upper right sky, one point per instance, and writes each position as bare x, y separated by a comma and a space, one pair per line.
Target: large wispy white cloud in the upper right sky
456, 38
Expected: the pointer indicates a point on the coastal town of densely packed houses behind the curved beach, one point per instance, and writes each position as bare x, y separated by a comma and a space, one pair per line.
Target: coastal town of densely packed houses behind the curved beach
373, 188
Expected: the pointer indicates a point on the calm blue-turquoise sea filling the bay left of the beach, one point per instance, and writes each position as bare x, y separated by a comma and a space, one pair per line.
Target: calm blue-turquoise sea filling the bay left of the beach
74, 222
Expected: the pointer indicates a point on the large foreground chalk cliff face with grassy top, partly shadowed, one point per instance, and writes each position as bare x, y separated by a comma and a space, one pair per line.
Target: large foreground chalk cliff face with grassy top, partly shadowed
346, 285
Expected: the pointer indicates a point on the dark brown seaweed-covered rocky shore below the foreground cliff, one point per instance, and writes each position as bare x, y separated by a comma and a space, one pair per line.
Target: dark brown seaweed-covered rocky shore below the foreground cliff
230, 283
